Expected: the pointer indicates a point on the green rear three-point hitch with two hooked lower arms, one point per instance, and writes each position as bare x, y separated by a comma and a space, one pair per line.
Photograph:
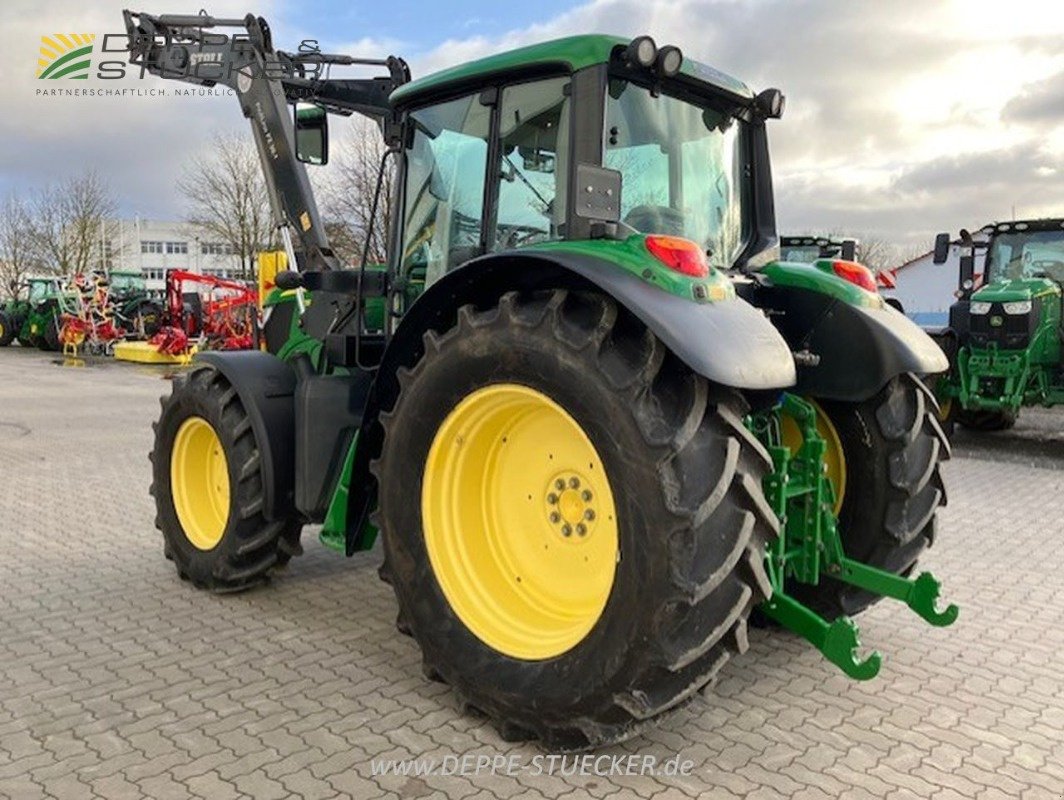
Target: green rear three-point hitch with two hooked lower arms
810, 547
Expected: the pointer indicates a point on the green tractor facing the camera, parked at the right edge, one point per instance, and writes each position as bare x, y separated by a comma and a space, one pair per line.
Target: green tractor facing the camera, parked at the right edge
1004, 337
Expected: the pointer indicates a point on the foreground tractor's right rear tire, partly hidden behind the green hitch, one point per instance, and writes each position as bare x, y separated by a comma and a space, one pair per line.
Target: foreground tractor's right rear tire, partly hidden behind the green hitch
892, 447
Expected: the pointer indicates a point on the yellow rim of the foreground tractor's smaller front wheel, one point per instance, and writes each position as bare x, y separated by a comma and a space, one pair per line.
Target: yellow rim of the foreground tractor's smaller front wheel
199, 484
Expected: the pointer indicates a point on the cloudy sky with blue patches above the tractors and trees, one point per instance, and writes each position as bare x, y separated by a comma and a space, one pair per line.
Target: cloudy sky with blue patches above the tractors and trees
904, 119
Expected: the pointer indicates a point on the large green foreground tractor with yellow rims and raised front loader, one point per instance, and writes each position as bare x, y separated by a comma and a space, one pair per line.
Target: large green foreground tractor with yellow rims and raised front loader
598, 424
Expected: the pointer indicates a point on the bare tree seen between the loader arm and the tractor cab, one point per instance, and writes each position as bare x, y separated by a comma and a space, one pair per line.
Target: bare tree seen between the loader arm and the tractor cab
347, 195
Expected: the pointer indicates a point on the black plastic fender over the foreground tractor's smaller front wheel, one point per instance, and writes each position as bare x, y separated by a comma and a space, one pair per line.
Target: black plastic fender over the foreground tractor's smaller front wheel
267, 387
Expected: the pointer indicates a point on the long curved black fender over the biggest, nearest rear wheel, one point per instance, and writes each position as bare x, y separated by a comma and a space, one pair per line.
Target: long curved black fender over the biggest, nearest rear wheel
729, 342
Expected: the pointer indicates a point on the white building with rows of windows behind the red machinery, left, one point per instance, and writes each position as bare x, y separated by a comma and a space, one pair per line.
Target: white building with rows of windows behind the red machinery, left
154, 247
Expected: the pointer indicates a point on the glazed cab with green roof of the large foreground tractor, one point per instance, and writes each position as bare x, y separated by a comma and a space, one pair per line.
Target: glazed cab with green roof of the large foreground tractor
586, 139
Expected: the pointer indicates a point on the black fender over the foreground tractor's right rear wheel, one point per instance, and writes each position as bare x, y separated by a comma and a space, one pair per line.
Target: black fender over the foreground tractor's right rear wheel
855, 349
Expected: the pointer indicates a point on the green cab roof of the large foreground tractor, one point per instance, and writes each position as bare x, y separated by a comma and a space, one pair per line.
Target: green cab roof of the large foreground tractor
571, 54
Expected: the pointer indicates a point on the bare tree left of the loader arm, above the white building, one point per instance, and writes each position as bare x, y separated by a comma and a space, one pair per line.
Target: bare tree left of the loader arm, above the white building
226, 197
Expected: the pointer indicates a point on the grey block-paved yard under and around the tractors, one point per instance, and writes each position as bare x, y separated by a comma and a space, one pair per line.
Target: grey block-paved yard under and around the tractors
119, 680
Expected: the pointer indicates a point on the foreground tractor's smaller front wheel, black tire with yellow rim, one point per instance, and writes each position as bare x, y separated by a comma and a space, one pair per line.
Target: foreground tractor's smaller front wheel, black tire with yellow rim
208, 484
